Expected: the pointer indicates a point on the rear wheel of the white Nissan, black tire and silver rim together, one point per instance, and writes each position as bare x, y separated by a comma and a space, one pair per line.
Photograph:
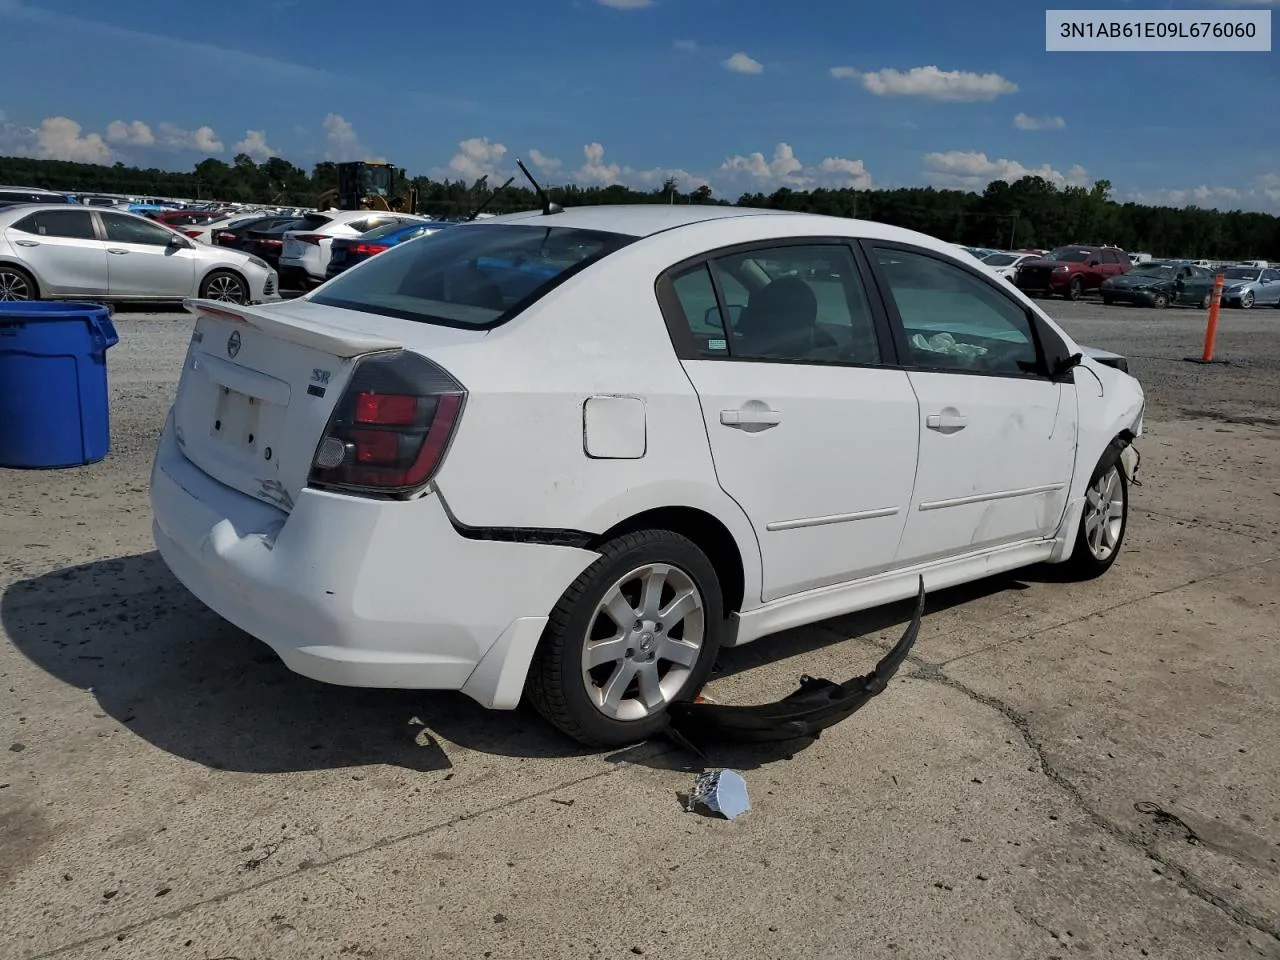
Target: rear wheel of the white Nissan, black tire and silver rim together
638, 630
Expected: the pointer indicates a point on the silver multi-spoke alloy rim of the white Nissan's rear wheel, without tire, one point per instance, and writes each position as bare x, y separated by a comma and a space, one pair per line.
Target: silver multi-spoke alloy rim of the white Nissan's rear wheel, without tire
643, 642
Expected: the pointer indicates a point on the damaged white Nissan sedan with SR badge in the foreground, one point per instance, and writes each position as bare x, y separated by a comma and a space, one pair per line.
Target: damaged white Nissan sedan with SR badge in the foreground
578, 454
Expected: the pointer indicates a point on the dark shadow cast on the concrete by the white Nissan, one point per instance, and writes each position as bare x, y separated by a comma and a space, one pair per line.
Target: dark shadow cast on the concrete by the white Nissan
191, 684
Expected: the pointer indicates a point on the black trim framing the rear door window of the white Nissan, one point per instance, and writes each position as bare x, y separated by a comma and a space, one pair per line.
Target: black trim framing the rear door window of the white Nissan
683, 339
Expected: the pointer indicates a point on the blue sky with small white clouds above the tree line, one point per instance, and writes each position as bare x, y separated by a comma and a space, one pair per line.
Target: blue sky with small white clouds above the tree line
743, 94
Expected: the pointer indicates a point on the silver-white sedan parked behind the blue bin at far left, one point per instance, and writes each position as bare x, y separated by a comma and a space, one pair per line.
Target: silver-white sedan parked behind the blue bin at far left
70, 252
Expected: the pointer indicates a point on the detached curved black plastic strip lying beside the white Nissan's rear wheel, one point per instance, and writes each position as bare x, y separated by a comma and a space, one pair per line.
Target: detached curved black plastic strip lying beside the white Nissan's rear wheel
804, 714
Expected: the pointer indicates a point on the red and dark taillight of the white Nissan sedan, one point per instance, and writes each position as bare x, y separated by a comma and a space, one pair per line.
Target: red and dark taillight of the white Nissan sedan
391, 428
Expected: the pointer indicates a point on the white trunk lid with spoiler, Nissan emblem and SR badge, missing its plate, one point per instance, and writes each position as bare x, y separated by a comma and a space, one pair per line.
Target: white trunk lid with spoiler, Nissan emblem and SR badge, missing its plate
260, 383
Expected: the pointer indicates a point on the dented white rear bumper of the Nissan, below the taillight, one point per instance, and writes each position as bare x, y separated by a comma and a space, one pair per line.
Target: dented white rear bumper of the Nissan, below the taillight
360, 592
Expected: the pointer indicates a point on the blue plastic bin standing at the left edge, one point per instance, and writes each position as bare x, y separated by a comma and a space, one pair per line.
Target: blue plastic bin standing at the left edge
54, 406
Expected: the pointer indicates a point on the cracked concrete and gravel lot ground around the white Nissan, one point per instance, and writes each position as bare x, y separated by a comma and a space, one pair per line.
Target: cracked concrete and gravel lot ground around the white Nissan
170, 790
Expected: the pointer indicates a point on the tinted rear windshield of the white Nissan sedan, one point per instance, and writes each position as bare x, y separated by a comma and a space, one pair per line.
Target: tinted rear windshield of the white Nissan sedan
469, 277
